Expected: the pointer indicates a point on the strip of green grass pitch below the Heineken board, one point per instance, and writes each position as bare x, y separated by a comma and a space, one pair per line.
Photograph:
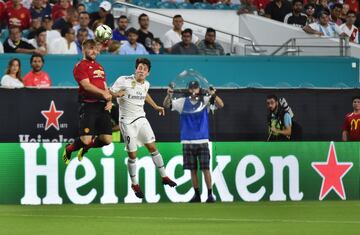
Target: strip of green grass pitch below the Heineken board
315, 218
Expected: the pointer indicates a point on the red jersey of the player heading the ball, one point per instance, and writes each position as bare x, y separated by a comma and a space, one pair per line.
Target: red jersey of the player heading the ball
95, 73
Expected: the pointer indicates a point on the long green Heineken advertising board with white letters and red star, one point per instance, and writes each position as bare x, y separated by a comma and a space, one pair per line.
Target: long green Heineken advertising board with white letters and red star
33, 173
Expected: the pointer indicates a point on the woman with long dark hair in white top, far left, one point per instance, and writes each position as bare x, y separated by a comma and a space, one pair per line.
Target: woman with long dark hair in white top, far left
12, 78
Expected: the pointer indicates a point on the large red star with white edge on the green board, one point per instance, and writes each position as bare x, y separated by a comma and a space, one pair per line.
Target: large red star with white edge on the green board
332, 173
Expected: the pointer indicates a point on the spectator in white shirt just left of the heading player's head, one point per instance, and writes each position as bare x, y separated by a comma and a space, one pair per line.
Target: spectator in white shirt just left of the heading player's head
65, 44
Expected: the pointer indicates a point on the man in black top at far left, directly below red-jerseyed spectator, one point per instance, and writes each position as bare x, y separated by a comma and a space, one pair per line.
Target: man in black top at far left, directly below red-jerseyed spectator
14, 43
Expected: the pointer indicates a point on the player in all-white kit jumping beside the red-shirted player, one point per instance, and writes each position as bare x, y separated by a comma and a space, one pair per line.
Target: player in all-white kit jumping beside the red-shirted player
132, 92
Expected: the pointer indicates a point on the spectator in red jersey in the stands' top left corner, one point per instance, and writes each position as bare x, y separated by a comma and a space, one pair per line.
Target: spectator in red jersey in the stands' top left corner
18, 15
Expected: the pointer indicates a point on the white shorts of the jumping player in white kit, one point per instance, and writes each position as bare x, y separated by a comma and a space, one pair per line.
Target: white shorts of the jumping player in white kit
136, 134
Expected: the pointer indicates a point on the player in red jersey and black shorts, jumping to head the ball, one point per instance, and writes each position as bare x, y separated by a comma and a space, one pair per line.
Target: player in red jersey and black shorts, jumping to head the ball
95, 104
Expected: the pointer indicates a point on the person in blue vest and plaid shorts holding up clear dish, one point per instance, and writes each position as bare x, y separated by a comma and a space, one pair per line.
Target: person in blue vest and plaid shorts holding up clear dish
194, 110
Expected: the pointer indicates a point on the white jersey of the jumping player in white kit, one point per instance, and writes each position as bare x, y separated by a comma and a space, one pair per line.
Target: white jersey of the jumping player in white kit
131, 105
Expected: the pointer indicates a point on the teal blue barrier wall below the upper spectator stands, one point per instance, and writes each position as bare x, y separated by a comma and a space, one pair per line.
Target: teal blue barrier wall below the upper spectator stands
226, 71
